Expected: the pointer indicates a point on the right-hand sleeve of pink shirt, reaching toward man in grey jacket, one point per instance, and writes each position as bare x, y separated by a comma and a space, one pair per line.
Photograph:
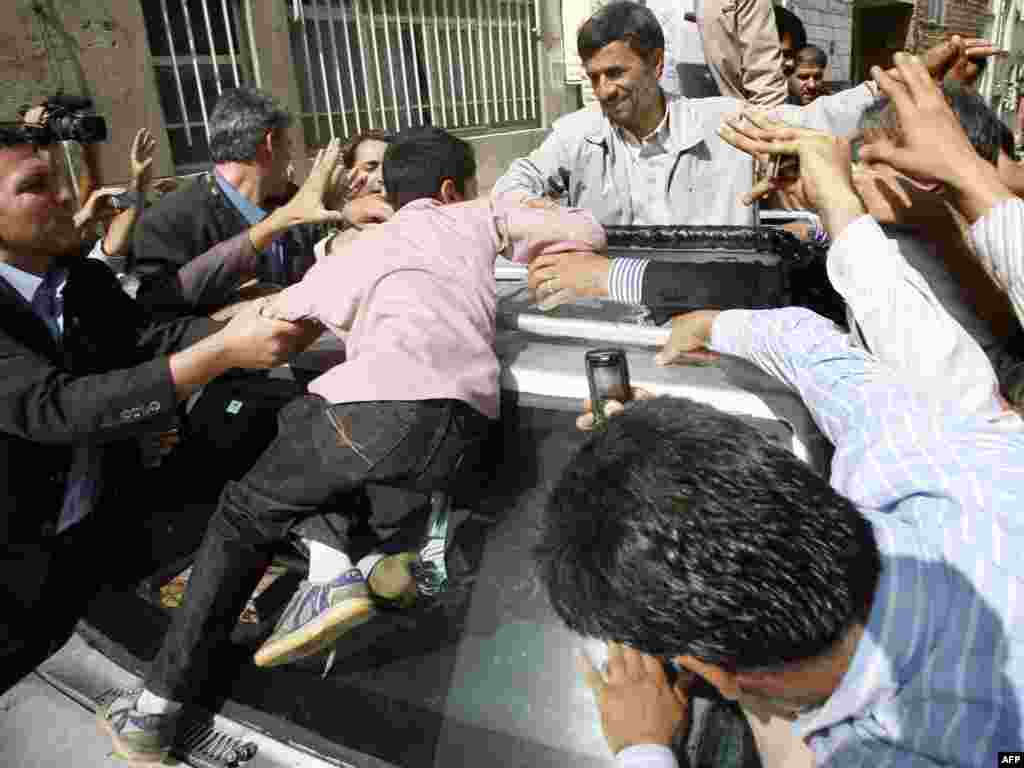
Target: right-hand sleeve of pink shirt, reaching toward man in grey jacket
531, 232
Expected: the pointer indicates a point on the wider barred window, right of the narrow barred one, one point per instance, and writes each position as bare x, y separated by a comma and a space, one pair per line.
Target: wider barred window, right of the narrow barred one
396, 64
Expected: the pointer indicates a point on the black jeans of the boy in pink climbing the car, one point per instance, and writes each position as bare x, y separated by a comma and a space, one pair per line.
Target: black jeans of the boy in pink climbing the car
322, 451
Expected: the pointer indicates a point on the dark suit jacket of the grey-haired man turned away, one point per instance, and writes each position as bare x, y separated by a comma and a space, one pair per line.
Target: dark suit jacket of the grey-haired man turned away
188, 224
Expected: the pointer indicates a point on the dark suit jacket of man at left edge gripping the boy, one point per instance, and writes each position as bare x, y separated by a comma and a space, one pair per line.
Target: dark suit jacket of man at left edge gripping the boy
109, 381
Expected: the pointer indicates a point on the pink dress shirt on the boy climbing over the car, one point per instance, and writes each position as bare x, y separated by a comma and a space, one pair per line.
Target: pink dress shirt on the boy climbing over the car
417, 296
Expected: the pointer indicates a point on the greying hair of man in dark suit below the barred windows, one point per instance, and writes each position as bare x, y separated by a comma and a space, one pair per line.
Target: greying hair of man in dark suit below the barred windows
240, 122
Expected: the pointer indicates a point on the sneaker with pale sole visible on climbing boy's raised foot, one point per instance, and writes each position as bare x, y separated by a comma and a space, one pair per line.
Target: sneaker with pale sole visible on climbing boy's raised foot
317, 616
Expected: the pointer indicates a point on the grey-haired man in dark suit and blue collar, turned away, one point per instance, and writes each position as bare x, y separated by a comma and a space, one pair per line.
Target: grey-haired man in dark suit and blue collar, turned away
251, 151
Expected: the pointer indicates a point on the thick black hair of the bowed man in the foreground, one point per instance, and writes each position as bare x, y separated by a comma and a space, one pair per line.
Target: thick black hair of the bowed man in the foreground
682, 530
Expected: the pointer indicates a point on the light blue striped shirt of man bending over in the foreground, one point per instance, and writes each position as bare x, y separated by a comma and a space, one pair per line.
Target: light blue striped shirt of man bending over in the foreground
938, 676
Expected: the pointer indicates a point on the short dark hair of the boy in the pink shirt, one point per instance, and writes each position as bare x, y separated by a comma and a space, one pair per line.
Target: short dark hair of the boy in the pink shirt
419, 160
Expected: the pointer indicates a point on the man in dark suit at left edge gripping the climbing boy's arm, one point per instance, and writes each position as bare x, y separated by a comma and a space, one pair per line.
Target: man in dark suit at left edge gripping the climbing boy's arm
84, 372
